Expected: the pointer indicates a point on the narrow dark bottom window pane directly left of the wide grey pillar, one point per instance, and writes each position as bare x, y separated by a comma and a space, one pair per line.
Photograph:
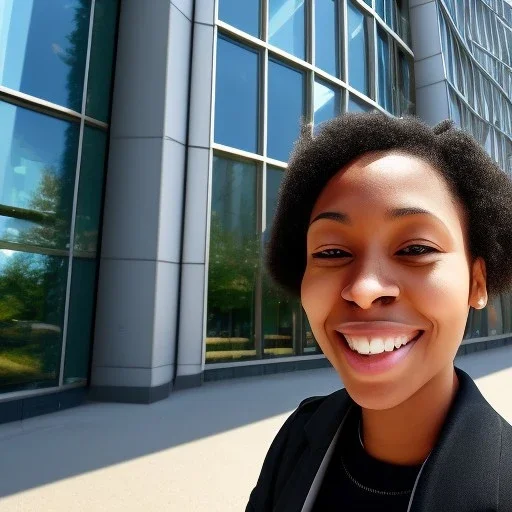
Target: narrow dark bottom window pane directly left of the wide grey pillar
81, 313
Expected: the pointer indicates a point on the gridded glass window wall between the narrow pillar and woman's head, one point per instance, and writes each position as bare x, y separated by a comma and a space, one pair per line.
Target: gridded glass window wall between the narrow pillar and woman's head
277, 63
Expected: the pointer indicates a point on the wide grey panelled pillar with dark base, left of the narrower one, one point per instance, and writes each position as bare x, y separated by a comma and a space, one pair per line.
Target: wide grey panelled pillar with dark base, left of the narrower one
136, 321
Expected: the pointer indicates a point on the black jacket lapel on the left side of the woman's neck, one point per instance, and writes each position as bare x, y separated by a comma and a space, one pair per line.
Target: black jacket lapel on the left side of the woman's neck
319, 432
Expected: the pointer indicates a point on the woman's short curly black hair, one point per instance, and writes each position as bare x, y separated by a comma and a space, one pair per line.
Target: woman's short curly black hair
483, 189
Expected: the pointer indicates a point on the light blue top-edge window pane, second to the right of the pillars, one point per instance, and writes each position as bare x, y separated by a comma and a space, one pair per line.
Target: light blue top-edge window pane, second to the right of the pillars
286, 26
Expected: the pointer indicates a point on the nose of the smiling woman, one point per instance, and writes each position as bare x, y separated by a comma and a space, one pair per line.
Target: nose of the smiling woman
369, 285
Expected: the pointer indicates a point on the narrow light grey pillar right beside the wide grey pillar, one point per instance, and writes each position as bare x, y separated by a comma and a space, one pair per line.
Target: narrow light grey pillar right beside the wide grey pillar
193, 300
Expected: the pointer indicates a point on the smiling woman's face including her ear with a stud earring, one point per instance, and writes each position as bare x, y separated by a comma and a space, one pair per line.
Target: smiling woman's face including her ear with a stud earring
389, 280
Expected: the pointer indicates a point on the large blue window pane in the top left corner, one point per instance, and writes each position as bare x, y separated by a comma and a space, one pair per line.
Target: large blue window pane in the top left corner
43, 47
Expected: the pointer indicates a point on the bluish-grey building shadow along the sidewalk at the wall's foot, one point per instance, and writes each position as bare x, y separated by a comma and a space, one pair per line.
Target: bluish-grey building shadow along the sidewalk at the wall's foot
62, 445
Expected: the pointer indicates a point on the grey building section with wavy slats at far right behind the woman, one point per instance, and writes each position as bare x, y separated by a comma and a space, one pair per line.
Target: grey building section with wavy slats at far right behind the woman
463, 64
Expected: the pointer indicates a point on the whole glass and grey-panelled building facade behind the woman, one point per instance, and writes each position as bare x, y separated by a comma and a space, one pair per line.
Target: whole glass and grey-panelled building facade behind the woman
132, 231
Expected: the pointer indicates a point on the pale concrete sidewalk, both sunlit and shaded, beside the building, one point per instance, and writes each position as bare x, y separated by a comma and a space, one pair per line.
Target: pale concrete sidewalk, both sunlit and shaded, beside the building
199, 450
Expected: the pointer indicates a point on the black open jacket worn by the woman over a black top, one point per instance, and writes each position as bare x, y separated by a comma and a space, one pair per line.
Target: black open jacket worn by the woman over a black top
469, 469
